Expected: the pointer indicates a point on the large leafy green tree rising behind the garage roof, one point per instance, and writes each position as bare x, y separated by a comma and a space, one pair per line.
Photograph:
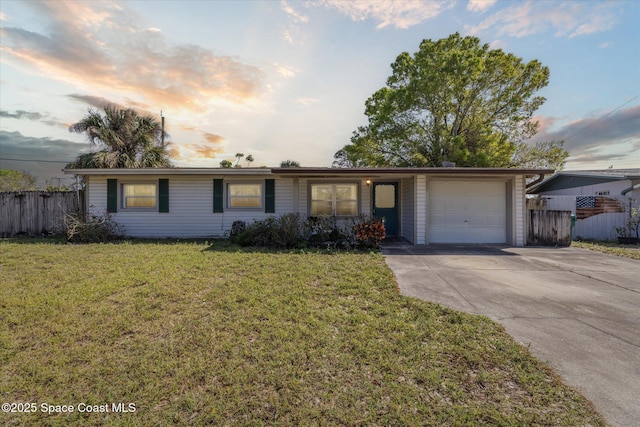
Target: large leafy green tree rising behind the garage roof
454, 100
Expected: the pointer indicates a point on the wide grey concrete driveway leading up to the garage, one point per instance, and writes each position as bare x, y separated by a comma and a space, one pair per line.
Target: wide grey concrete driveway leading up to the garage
577, 310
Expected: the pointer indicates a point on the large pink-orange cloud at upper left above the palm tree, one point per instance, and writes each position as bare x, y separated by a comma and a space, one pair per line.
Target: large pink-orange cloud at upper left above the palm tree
98, 45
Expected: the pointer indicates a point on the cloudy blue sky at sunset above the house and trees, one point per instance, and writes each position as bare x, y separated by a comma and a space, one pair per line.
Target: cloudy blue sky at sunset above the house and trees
288, 79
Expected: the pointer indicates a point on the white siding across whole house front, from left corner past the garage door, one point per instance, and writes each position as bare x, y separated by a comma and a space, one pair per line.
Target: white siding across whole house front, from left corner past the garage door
191, 204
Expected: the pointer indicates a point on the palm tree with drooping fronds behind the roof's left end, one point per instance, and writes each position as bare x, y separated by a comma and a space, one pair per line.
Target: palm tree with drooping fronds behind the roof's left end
126, 139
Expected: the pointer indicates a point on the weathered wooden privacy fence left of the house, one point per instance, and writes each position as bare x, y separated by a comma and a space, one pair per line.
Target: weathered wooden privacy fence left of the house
35, 213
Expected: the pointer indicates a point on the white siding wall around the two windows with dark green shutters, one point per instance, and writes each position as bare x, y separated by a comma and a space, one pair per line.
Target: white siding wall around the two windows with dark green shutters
190, 206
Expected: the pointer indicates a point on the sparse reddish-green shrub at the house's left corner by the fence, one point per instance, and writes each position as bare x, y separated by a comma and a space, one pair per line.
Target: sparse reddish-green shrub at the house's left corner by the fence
94, 229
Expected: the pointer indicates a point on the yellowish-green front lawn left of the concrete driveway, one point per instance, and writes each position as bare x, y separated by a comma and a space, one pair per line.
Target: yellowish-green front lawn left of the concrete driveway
195, 333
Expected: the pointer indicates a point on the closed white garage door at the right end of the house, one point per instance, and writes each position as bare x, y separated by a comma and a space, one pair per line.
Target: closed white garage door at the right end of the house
467, 212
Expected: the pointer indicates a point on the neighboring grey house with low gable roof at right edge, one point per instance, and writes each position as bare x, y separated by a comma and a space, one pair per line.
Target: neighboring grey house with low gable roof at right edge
608, 182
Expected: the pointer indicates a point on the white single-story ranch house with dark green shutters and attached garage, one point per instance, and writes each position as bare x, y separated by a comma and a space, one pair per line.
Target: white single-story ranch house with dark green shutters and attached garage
421, 205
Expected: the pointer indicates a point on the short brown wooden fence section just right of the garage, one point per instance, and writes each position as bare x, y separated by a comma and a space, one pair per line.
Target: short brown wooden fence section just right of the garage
549, 228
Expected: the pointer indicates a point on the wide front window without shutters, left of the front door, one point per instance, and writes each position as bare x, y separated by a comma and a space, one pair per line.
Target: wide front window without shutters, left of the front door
334, 199
